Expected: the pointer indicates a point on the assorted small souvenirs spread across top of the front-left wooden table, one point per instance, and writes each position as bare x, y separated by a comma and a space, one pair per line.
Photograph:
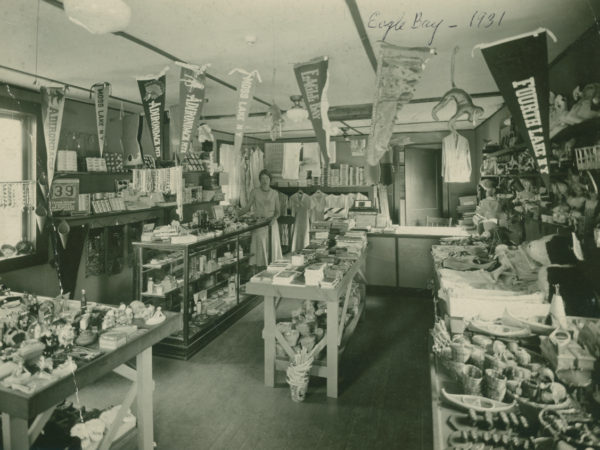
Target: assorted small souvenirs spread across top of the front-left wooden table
44, 339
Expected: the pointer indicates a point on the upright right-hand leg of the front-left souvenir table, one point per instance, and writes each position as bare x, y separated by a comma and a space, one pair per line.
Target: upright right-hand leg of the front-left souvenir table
144, 400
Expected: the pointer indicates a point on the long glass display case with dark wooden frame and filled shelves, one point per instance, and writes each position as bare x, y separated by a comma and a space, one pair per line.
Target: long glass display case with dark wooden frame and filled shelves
204, 280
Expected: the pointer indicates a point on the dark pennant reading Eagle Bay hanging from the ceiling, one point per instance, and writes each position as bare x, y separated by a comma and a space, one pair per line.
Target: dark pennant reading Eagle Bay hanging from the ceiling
313, 81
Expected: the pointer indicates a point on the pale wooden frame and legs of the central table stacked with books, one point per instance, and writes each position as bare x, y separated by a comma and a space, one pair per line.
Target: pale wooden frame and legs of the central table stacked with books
334, 339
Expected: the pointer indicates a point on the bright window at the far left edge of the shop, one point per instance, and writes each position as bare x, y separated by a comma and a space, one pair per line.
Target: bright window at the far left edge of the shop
17, 184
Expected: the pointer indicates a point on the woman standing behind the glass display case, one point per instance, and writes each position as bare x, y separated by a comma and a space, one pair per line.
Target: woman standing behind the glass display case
264, 203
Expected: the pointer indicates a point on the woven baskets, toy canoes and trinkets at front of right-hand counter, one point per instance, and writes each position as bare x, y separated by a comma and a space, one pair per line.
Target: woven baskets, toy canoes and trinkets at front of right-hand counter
514, 395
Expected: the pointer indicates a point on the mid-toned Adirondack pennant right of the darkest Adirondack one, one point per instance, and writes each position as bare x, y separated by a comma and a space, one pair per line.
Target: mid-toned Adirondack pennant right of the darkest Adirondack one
191, 100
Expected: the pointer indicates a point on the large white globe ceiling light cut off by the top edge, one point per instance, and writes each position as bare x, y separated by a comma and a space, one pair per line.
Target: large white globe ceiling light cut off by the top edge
98, 16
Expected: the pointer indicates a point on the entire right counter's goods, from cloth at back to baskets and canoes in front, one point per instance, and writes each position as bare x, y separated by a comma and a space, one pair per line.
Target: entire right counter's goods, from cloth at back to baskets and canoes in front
520, 343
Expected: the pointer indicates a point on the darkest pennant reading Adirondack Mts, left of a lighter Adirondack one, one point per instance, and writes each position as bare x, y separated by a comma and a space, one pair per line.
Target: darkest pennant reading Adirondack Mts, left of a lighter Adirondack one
152, 90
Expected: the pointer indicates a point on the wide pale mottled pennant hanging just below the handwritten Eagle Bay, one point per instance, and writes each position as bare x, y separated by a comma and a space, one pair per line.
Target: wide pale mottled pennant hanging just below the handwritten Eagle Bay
399, 70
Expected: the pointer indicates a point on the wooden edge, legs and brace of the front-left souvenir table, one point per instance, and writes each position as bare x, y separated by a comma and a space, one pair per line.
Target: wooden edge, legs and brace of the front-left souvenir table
17, 408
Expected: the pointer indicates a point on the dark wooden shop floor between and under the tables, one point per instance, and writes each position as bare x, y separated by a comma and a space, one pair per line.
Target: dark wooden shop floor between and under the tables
217, 400
